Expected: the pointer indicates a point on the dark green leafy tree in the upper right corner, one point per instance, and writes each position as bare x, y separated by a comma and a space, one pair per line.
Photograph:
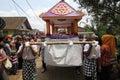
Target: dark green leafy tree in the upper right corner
106, 14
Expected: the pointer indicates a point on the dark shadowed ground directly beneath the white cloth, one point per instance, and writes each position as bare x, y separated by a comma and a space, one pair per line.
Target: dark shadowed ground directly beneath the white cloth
59, 73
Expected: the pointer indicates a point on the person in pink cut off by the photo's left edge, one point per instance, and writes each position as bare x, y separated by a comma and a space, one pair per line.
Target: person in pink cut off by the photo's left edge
3, 57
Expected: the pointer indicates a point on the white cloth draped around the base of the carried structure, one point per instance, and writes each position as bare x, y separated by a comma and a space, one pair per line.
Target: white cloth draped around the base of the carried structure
63, 54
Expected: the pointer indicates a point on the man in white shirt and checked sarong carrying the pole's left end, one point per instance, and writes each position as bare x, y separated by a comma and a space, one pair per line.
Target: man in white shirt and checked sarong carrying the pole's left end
28, 53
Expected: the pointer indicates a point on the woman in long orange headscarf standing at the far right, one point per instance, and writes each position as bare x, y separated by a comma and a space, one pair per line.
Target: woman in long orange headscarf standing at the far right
107, 53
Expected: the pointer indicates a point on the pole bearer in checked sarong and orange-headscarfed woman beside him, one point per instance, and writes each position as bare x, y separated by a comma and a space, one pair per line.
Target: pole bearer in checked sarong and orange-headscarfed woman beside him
97, 61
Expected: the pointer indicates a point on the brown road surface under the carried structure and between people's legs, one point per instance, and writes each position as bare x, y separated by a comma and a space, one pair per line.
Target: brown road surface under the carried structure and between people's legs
52, 73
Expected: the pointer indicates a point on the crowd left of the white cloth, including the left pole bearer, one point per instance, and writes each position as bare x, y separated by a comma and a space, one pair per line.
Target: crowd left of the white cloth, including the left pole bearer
21, 55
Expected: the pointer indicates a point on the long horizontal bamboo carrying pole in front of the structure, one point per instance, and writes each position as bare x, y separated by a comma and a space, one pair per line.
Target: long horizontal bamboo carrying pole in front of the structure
61, 42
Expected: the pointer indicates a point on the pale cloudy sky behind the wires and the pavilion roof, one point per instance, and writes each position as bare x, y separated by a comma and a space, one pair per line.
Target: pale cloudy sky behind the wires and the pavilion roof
22, 8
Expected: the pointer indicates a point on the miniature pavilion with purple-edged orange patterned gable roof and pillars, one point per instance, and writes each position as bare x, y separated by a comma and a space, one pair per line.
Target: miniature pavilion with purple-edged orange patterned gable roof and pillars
62, 17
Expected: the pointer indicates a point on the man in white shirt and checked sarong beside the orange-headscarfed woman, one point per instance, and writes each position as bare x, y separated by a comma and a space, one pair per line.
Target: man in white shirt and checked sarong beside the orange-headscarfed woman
91, 57
